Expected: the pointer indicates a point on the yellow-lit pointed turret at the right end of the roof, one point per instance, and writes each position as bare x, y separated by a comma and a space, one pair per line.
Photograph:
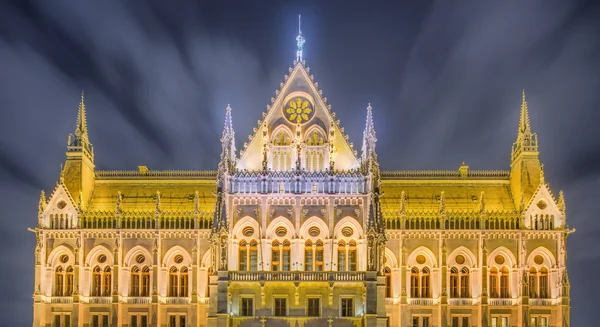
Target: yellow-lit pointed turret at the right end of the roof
525, 168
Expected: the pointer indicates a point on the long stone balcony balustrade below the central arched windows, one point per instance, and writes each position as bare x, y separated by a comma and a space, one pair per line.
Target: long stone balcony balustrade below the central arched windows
294, 276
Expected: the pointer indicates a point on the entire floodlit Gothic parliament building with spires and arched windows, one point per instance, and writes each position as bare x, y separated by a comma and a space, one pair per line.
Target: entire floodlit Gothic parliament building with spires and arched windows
300, 229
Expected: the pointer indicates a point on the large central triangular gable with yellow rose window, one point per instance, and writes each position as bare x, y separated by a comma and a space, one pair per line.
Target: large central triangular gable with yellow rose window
301, 119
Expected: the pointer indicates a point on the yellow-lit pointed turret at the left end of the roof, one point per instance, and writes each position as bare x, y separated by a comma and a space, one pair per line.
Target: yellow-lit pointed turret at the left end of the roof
78, 170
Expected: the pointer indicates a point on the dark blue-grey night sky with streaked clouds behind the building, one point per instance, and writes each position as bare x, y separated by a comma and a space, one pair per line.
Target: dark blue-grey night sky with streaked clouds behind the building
444, 80
